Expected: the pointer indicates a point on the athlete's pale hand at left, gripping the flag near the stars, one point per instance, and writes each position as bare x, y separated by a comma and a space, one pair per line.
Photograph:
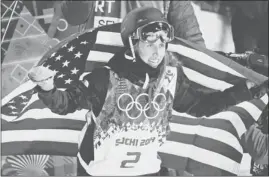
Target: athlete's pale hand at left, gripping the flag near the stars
43, 77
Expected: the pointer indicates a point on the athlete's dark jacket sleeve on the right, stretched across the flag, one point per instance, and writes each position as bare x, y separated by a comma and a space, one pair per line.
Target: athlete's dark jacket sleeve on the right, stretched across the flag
201, 103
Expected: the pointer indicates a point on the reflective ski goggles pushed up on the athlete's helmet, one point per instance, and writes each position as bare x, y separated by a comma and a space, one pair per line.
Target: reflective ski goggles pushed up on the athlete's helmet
151, 32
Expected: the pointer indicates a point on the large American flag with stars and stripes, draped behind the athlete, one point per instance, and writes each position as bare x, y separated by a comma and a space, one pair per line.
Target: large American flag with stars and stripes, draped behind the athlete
204, 146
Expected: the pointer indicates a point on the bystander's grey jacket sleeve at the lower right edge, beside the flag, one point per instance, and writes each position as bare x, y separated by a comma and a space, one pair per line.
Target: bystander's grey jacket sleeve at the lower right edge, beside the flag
256, 144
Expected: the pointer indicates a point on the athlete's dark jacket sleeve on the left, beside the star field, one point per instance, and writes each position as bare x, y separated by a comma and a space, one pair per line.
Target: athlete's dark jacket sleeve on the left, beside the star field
88, 94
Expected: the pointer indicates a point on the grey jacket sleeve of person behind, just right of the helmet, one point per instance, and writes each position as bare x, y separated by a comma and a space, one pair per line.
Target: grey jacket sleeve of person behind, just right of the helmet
181, 16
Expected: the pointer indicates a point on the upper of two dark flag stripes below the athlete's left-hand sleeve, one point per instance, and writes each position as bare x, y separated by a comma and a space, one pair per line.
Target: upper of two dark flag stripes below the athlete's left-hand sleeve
50, 123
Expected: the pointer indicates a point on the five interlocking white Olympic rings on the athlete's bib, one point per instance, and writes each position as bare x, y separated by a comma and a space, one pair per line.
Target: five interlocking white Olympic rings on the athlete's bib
134, 102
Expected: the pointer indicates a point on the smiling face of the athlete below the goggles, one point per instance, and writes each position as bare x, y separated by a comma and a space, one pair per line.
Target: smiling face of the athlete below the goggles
152, 53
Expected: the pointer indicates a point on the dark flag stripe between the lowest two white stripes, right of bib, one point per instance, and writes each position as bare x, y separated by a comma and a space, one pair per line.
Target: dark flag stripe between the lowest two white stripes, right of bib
208, 144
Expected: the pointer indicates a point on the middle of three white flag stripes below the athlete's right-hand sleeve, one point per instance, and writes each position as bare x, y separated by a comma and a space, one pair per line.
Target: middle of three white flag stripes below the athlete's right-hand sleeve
207, 132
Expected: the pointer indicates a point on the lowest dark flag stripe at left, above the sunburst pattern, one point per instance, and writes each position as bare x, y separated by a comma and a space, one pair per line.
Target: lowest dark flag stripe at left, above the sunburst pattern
39, 147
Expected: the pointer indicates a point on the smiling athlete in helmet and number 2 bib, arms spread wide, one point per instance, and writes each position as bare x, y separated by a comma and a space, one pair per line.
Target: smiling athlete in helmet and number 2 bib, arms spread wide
131, 99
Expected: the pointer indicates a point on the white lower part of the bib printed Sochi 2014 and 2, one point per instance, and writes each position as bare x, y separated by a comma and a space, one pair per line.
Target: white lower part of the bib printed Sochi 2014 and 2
130, 153
